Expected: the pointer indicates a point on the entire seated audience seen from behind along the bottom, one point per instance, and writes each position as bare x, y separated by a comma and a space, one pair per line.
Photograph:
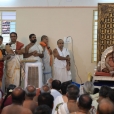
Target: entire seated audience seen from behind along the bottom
58, 98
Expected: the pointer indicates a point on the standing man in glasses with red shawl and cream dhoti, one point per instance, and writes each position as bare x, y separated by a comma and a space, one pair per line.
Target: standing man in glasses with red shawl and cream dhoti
13, 63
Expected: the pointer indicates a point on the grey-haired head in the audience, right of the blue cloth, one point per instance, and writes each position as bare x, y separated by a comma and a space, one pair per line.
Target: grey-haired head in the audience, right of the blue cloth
88, 87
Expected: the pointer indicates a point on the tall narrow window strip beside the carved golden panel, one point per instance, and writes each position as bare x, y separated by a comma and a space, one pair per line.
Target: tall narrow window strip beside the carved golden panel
94, 36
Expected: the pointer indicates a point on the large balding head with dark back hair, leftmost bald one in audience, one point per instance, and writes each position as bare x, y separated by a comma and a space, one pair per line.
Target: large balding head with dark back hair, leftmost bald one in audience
18, 95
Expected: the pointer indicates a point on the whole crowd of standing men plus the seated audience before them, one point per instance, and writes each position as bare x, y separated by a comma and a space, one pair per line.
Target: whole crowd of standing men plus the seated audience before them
58, 95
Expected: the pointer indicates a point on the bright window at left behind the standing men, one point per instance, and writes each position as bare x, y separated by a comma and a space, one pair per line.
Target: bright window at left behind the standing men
7, 24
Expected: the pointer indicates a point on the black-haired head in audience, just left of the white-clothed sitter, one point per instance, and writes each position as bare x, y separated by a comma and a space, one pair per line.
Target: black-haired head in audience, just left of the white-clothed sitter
46, 99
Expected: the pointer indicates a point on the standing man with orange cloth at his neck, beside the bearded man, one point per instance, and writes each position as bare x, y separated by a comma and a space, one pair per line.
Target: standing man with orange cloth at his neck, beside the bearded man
47, 59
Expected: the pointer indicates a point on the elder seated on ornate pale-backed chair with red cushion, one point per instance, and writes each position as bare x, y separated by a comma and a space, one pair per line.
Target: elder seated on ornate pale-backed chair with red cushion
106, 65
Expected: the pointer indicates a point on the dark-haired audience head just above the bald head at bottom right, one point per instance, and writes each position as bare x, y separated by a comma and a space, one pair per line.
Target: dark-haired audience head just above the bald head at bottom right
103, 92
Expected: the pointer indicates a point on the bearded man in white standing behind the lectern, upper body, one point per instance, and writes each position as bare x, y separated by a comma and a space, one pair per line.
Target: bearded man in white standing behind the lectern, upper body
33, 51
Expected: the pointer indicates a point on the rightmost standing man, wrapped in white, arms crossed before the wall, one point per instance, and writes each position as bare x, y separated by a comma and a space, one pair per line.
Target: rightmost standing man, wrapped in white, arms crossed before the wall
61, 62
